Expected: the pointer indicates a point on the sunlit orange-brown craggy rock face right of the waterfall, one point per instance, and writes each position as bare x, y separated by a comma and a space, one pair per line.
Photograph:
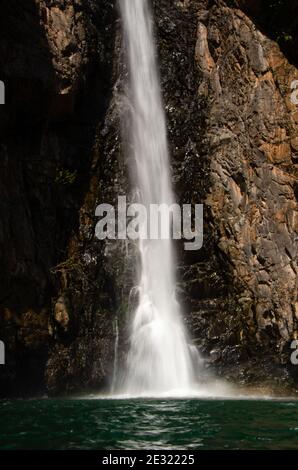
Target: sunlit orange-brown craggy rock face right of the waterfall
250, 124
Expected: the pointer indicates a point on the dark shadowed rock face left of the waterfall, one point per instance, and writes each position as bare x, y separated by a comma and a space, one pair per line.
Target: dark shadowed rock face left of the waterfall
56, 62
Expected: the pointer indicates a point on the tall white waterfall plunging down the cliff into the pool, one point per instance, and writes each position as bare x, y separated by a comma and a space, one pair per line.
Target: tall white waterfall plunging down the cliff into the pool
159, 359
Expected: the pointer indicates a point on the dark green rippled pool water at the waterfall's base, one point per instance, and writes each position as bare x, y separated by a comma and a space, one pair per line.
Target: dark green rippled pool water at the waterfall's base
148, 424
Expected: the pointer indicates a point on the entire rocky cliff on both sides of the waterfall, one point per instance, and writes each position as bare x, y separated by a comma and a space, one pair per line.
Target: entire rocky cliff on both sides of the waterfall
233, 135
